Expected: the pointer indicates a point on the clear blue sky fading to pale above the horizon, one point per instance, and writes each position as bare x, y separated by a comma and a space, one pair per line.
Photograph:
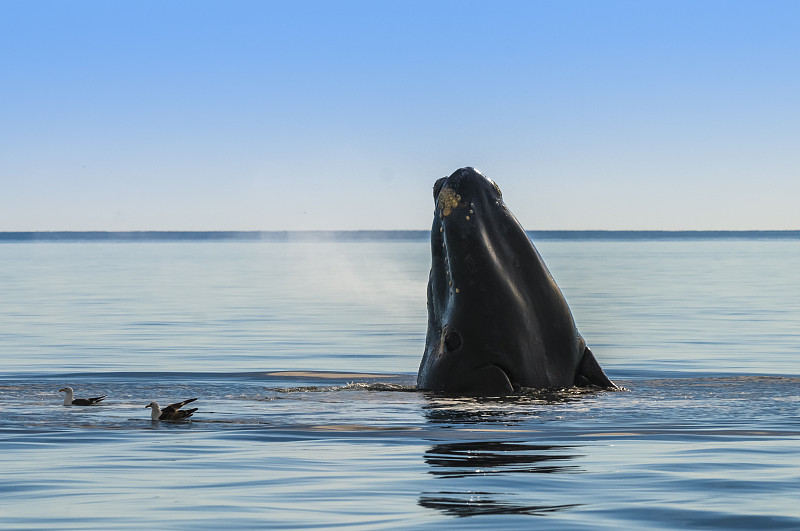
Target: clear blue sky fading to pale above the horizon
197, 115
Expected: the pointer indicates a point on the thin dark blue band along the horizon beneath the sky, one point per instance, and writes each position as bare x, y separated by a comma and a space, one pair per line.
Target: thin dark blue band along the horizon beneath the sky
376, 235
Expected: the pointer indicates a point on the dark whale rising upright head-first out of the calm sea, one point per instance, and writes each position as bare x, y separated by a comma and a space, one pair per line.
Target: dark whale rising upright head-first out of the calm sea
497, 321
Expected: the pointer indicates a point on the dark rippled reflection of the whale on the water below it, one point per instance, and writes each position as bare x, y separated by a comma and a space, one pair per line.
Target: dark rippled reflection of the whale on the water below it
481, 477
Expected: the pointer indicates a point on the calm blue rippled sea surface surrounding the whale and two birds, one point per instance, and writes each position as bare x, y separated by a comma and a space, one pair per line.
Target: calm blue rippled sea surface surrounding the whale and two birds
303, 356
